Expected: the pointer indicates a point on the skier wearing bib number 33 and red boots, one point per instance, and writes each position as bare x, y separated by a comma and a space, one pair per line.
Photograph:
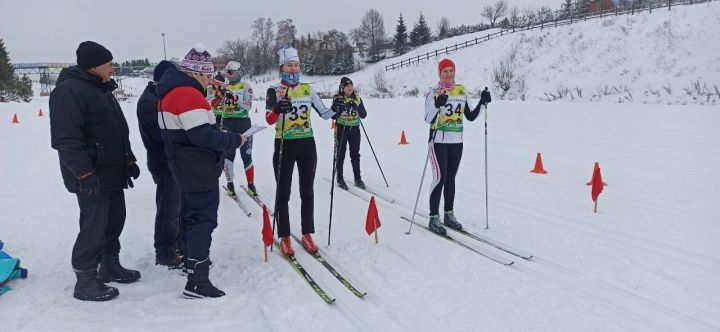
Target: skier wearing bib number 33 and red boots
288, 105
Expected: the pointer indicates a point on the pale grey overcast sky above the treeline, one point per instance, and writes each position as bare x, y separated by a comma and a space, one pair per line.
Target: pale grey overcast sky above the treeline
50, 30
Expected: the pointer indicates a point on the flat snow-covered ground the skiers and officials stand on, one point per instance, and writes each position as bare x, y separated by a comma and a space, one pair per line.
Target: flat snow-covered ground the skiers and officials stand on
648, 260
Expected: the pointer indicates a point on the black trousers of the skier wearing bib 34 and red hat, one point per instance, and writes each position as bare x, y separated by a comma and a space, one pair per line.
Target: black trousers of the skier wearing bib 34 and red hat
445, 159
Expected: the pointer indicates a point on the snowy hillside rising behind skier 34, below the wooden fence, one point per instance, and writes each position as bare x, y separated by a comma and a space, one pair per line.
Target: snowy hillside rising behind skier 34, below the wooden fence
667, 57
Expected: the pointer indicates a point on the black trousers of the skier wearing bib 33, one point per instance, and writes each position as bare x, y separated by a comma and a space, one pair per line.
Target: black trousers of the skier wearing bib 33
303, 153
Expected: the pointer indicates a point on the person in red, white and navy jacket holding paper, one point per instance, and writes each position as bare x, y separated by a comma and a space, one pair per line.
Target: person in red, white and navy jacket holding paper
194, 147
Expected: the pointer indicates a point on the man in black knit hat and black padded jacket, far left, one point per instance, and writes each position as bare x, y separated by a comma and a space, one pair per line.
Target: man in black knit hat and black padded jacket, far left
89, 131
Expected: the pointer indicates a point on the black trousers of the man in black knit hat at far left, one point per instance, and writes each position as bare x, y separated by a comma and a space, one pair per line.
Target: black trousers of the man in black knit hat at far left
102, 218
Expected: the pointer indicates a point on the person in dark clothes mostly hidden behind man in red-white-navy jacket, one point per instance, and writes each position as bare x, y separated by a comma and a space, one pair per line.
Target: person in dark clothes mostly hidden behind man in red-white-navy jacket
167, 194
